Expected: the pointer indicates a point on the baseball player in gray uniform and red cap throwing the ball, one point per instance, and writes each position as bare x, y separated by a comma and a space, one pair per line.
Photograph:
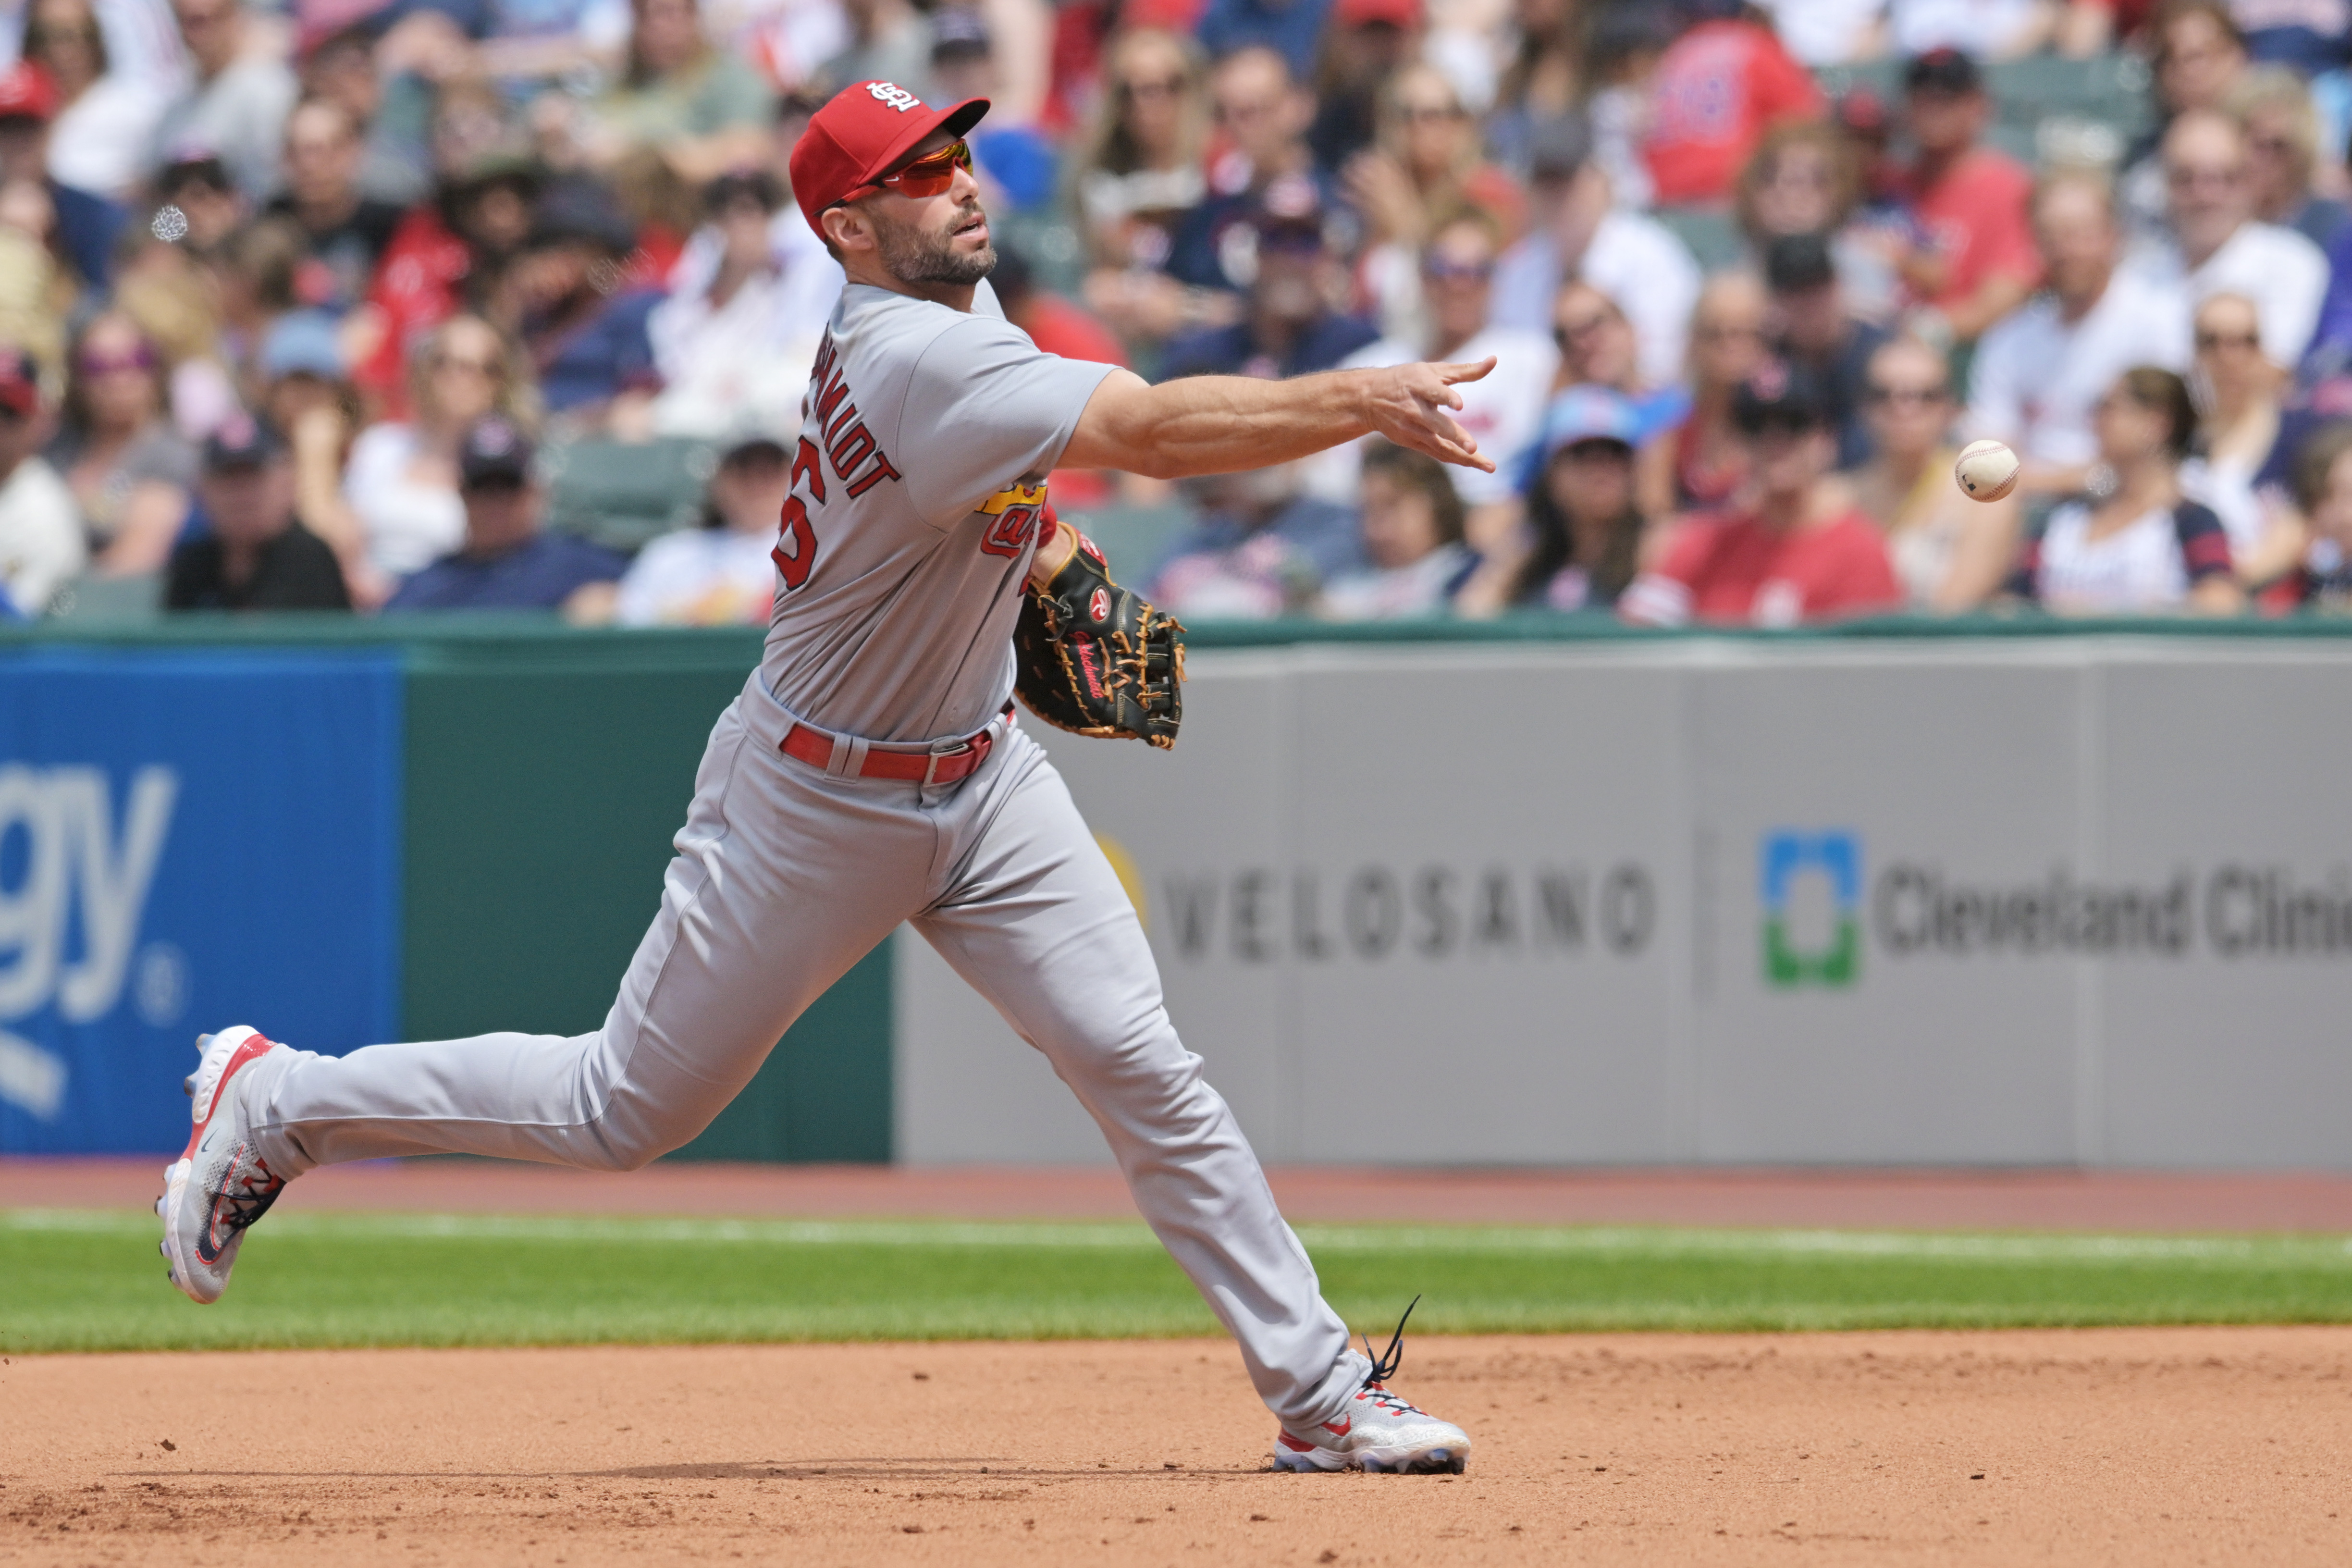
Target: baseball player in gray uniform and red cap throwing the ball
871, 775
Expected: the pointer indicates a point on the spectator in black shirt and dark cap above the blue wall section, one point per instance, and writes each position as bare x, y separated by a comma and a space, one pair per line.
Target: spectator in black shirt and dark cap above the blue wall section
258, 554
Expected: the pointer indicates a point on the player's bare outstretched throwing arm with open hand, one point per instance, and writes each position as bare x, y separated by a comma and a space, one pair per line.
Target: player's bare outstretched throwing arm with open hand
1224, 424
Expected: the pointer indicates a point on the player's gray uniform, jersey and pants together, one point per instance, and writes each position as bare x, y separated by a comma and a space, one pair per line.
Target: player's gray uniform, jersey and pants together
911, 523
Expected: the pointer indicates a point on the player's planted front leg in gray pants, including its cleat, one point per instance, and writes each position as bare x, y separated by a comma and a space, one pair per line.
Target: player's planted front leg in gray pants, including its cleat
1036, 920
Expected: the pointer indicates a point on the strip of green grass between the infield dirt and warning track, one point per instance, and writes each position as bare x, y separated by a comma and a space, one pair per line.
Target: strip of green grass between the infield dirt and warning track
74, 1280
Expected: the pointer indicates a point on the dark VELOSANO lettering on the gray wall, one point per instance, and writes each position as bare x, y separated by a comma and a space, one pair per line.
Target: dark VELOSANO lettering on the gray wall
1434, 913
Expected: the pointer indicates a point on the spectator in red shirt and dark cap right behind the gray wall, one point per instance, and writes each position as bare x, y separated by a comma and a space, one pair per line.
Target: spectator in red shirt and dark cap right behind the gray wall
1793, 549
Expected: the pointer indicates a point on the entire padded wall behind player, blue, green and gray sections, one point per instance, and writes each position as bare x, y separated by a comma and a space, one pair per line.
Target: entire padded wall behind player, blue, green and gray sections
1539, 892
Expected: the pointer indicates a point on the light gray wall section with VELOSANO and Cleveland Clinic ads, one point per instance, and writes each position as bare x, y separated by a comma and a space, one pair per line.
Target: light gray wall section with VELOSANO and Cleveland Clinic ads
1935, 902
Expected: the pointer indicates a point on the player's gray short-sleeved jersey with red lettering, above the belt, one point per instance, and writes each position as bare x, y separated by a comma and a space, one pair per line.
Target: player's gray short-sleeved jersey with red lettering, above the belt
916, 495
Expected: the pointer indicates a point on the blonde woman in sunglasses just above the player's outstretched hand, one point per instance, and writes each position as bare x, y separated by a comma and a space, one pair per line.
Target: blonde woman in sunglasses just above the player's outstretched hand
1424, 168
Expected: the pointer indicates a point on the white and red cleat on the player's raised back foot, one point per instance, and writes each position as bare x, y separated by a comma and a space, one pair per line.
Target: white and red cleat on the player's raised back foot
220, 1184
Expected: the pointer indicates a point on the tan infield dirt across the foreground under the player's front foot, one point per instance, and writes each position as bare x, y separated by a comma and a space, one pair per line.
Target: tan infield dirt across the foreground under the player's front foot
2043, 1447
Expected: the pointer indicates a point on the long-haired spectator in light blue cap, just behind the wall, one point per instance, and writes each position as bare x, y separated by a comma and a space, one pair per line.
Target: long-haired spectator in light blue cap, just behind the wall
1584, 521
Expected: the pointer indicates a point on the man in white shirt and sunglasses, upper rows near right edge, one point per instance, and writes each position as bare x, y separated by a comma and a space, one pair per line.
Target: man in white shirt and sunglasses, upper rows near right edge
2217, 243
